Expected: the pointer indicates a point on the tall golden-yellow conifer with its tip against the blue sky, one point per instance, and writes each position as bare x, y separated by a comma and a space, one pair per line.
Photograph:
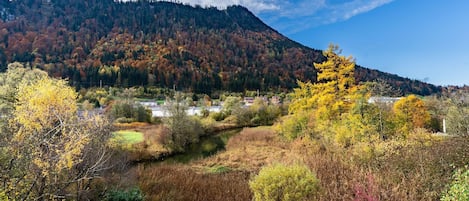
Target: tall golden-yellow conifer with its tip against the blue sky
331, 95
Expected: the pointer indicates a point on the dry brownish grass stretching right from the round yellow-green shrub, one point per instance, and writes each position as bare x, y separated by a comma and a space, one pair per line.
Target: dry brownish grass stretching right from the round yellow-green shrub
417, 172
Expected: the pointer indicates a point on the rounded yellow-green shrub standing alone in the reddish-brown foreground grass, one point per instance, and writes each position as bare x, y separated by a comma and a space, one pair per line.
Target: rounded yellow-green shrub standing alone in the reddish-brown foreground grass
281, 182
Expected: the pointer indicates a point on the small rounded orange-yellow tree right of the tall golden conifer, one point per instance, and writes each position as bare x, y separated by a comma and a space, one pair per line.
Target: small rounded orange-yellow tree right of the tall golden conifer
410, 113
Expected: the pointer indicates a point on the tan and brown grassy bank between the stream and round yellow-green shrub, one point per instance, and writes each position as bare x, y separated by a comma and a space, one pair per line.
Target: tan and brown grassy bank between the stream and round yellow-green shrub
222, 176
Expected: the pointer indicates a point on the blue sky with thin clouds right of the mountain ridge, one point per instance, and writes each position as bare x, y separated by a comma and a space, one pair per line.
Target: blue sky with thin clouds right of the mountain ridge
424, 40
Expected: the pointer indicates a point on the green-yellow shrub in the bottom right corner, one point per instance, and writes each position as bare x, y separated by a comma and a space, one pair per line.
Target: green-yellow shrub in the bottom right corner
459, 187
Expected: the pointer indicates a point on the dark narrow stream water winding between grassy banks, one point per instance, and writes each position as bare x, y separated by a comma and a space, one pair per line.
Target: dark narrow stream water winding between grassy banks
207, 146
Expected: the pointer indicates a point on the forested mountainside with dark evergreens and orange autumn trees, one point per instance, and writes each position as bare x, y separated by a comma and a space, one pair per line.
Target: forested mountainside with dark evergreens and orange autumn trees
163, 44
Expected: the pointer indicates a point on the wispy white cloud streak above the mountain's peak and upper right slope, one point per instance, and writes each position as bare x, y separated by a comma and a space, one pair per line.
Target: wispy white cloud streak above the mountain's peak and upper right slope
290, 16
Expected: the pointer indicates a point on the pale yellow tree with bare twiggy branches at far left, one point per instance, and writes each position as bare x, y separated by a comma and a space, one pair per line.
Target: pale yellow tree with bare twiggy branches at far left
52, 145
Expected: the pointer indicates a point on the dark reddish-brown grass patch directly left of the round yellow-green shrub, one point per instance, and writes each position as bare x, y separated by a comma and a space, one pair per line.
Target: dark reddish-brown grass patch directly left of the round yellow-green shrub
170, 182
